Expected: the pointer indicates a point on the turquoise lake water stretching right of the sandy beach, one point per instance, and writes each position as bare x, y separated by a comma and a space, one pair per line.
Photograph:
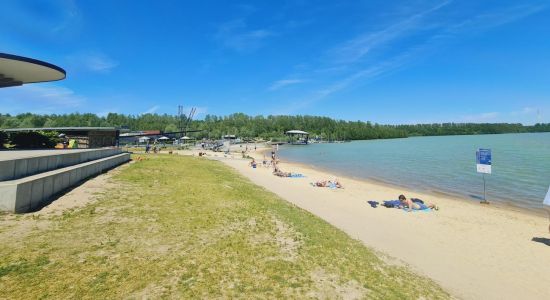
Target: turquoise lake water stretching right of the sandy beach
520, 164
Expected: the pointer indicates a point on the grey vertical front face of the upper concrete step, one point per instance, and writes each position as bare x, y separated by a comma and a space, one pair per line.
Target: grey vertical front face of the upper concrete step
23, 167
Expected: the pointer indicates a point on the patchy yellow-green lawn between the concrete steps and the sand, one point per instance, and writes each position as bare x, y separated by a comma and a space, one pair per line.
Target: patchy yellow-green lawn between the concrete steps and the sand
186, 227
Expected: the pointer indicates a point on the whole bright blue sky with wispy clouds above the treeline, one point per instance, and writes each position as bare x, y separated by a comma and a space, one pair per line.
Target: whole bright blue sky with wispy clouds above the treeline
390, 62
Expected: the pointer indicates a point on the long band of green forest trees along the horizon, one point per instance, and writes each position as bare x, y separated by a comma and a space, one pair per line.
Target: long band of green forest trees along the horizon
265, 127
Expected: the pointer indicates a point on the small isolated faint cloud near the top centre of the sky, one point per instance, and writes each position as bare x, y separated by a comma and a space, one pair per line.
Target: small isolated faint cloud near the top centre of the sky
236, 35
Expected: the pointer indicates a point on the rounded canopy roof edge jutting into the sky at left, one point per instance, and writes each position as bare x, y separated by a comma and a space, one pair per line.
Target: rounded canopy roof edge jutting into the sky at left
17, 70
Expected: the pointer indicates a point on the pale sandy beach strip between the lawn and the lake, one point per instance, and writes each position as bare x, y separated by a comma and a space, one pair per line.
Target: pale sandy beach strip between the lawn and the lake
474, 251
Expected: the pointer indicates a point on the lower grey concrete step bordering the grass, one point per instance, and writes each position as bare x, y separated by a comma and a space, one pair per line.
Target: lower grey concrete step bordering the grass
32, 192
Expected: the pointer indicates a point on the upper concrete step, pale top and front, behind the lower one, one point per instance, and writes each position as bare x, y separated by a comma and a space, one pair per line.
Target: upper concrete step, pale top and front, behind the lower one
20, 164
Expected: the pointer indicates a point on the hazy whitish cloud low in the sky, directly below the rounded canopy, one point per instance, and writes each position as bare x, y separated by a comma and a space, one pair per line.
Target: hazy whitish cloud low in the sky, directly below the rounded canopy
39, 99
